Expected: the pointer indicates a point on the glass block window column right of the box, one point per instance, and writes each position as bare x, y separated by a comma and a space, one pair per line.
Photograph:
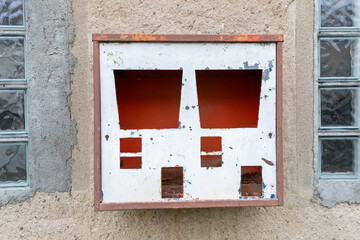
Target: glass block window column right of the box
337, 82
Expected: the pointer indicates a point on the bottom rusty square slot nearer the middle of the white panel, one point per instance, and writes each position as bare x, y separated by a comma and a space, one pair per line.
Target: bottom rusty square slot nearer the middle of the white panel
172, 182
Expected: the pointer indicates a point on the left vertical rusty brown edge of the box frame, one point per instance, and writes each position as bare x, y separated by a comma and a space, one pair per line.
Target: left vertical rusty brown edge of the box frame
97, 127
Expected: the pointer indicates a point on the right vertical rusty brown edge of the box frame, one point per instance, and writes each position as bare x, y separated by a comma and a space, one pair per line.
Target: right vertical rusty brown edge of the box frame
279, 145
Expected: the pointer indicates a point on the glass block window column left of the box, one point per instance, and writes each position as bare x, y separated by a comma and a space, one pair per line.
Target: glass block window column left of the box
13, 124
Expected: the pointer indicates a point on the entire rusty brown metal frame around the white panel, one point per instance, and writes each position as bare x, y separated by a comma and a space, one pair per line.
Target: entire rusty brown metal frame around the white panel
97, 38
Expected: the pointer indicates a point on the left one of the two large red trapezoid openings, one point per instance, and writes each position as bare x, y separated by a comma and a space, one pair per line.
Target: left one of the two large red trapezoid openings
148, 99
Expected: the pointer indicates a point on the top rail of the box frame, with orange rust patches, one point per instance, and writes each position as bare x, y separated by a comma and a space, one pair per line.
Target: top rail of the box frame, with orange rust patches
185, 38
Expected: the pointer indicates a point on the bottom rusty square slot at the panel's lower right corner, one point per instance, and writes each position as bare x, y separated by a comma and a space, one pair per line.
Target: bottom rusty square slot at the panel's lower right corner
251, 181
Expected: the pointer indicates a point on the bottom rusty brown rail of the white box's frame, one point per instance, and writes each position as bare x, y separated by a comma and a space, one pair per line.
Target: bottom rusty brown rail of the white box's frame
188, 204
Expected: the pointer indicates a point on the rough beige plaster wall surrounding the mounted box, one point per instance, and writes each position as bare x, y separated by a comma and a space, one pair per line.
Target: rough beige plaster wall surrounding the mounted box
71, 216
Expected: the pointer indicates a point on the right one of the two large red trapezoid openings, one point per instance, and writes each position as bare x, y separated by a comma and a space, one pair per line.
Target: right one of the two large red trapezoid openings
228, 98
